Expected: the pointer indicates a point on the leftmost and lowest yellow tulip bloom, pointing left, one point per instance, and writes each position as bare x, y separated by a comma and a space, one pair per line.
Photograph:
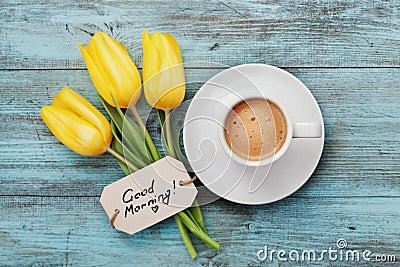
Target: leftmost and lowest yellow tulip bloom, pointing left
77, 123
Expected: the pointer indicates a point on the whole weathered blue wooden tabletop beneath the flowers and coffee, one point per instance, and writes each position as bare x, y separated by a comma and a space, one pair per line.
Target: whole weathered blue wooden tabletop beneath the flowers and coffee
346, 51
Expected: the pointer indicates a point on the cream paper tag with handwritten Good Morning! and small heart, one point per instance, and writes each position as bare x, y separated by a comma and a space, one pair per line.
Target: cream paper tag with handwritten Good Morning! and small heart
148, 196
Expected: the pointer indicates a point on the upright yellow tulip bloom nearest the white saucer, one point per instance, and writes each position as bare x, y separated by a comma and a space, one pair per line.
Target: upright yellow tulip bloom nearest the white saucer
163, 74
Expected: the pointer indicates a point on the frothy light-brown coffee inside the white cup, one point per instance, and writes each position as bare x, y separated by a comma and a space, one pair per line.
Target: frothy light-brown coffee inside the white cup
255, 129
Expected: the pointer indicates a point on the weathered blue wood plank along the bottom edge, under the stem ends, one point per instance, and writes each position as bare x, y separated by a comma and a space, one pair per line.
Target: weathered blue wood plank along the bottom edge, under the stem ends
74, 232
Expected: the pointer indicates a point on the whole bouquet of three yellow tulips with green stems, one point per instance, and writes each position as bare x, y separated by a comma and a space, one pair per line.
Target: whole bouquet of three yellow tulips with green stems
85, 130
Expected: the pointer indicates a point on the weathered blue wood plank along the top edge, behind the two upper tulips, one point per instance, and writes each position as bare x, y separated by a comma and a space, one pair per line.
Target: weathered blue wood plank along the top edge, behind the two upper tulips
44, 34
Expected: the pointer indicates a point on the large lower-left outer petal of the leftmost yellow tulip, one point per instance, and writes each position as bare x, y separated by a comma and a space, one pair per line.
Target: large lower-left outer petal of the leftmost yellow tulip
75, 133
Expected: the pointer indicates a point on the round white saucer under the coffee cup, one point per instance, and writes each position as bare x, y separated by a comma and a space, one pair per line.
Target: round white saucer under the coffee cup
228, 178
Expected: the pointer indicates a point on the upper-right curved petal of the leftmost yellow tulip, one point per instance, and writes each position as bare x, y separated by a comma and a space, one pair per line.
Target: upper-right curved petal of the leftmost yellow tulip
74, 102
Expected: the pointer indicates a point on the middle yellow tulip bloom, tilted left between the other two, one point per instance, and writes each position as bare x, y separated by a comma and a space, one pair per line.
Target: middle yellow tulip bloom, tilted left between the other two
112, 70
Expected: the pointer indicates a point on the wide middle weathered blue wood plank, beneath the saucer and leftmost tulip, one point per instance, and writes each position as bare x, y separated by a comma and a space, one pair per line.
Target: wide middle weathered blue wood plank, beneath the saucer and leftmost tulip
360, 107
